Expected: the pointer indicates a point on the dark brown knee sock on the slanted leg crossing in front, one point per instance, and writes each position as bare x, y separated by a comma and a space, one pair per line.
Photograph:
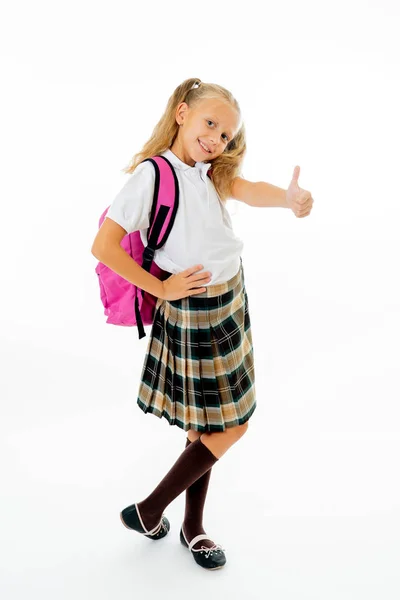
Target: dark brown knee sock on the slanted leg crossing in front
195, 460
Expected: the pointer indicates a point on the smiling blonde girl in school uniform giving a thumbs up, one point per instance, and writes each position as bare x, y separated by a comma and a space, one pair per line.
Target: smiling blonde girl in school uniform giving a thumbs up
198, 370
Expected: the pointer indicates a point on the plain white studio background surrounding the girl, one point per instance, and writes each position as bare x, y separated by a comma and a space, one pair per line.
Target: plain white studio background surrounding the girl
306, 504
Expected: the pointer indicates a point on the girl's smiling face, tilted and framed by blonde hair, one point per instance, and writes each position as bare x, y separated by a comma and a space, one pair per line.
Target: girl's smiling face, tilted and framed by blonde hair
205, 131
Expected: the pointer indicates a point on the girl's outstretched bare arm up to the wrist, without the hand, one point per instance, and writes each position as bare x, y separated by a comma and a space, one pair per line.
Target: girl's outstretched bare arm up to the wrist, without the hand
258, 193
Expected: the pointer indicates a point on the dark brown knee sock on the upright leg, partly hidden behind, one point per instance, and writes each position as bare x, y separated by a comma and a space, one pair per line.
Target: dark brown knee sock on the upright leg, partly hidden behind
194, 507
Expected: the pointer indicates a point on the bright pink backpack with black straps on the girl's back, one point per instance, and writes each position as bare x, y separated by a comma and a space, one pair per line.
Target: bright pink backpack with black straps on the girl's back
124, 303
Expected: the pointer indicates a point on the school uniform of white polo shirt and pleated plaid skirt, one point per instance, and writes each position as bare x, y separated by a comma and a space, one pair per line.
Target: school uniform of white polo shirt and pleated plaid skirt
198, 370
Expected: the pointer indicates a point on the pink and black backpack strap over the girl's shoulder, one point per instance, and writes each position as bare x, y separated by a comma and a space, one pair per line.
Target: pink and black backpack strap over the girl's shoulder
163, 212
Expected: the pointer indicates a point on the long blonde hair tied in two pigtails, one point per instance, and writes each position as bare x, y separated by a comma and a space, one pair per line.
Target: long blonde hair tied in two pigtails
227, 165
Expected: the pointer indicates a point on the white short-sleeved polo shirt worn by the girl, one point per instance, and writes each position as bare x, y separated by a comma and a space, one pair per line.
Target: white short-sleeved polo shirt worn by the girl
202, 232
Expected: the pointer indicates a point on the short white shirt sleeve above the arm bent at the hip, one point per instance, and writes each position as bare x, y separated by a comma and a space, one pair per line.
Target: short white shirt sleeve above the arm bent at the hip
131, 207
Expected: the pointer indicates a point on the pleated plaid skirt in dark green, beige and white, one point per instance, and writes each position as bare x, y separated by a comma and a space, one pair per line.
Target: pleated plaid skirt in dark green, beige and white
198, 370
